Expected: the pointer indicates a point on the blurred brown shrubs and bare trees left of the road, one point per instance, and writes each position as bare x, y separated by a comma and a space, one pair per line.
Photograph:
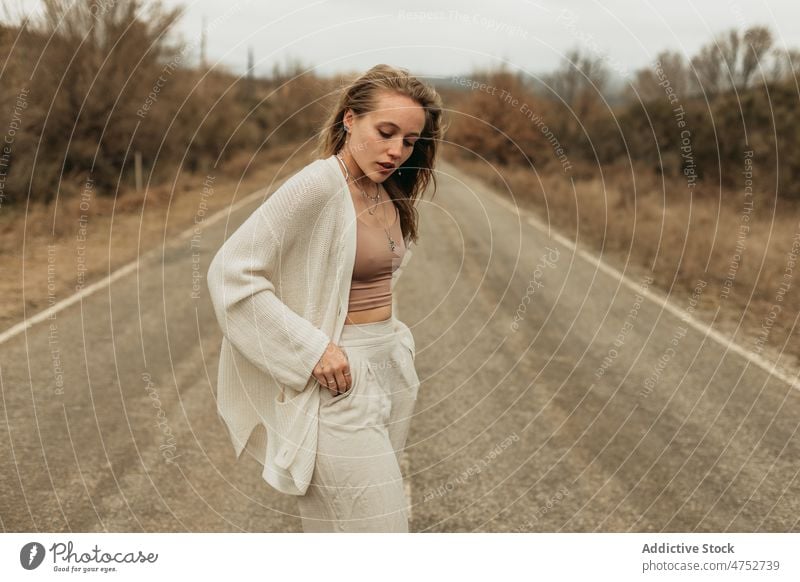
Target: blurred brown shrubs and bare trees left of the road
101, 81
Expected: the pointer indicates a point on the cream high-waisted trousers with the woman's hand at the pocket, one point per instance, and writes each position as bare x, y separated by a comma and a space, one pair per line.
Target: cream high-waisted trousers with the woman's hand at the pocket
357, 485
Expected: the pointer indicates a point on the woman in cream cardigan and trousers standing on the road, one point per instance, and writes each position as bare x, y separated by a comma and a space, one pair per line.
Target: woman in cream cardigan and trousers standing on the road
312, 350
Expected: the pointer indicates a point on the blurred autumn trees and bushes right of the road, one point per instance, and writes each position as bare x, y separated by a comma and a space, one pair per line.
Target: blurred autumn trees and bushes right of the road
698, 117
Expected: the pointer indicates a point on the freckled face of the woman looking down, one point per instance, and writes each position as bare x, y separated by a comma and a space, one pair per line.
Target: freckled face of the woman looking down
382, 140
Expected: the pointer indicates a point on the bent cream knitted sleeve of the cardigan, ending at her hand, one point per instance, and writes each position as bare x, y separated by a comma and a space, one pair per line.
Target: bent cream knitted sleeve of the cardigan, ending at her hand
260, 326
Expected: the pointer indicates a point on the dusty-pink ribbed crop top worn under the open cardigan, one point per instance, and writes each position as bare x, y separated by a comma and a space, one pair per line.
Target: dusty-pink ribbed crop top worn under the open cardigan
374, 264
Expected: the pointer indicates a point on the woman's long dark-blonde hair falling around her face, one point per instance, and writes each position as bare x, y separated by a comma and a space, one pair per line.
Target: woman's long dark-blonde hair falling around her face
411, 179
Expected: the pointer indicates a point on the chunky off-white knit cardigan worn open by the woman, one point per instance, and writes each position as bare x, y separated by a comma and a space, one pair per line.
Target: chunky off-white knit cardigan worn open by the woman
280, 287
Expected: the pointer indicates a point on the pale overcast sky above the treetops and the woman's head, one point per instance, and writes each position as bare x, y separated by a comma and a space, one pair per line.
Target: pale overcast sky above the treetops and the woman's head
445, 38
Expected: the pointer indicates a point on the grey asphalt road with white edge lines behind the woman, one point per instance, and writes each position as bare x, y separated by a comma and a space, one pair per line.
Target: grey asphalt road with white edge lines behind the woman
531, 417
